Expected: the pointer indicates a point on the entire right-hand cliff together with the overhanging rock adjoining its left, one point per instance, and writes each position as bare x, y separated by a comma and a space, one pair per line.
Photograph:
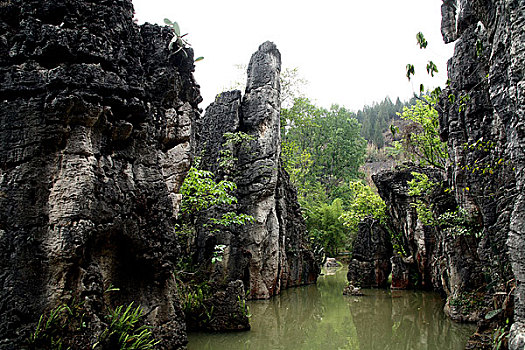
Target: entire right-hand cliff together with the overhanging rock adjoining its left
474, 254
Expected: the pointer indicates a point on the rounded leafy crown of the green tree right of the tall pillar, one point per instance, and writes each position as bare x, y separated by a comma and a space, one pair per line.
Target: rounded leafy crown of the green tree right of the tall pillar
329, 138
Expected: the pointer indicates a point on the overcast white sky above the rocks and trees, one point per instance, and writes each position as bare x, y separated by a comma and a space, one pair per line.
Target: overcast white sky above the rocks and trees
351, 52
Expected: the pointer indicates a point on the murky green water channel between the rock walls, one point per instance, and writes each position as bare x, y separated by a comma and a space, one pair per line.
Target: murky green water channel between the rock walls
320, 317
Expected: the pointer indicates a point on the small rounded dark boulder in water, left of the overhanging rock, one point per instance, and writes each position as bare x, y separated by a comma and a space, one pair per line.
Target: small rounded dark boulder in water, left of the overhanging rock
372, 250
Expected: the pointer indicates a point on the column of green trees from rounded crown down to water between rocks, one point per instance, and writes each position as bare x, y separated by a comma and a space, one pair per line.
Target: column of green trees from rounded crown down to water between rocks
322, 150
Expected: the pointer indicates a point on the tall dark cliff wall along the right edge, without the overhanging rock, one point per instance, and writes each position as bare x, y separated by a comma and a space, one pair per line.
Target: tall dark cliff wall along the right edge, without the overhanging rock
488, 65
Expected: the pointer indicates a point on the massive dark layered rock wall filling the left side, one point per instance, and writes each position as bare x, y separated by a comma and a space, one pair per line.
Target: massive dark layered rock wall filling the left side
96, 136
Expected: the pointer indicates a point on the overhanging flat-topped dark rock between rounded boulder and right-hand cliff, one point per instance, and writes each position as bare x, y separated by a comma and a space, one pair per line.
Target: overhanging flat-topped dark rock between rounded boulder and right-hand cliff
429, 257
